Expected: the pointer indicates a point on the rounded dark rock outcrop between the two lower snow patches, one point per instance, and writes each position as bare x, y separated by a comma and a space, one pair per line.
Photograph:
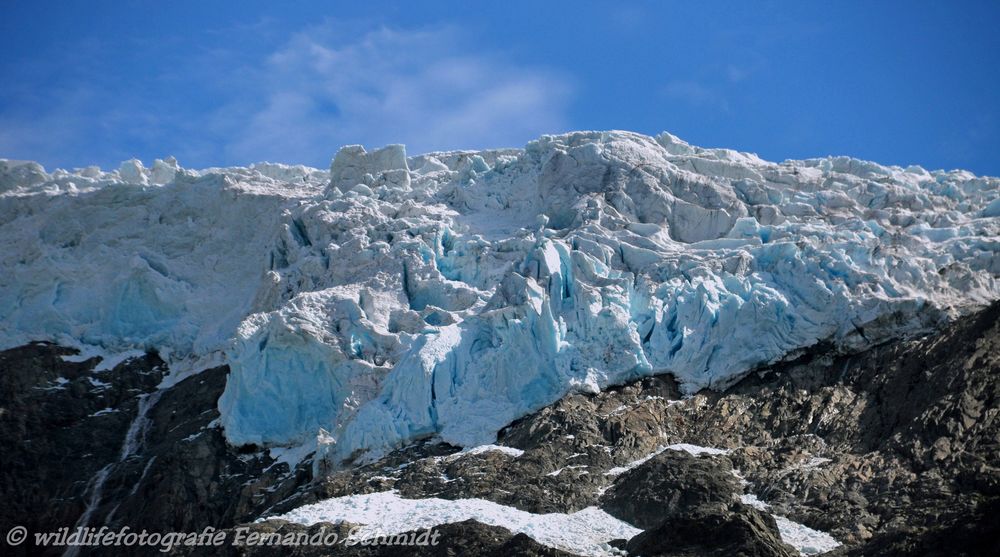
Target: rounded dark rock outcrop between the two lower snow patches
670, 484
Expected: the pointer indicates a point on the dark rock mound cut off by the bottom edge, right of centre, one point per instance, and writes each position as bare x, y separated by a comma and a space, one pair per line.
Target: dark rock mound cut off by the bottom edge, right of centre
713, 530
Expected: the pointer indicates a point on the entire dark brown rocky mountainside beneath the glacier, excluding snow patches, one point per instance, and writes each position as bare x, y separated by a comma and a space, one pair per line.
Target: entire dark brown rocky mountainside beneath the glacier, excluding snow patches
894, 450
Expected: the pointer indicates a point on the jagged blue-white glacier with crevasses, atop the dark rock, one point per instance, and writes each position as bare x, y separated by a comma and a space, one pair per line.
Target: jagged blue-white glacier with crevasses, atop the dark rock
396, 297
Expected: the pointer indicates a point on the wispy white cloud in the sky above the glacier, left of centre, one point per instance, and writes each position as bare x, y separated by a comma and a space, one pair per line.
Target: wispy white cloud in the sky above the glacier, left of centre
325, 88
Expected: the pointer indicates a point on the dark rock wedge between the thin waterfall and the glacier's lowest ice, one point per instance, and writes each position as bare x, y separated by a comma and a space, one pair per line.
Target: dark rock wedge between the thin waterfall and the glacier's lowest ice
186, 477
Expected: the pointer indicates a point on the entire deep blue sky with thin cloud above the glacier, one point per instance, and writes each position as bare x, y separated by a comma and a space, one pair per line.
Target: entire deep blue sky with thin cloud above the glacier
217, 83
